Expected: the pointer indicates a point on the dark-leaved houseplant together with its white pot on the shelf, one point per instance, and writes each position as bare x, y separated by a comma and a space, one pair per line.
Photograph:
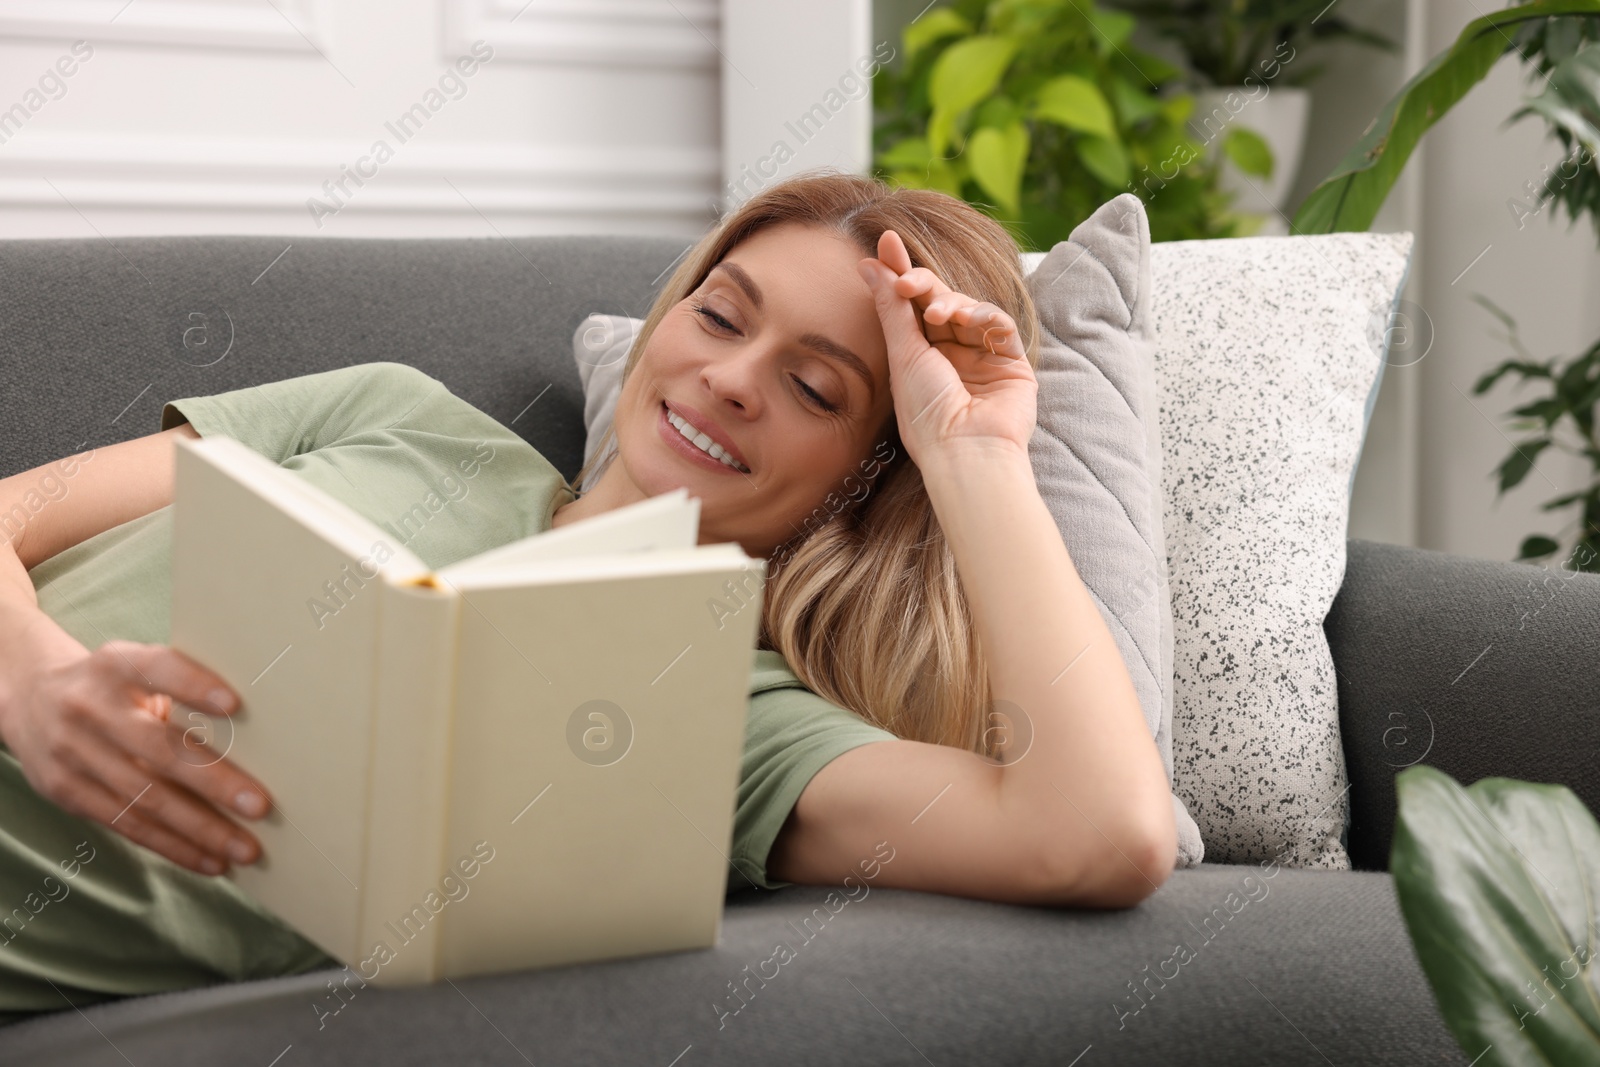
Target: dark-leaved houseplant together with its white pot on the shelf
1250, 55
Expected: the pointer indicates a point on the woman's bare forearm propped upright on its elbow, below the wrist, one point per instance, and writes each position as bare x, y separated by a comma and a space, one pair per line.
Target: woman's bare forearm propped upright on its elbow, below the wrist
1094, 778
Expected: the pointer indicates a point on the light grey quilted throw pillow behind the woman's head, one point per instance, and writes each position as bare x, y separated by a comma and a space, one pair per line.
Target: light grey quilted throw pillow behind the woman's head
1095, 449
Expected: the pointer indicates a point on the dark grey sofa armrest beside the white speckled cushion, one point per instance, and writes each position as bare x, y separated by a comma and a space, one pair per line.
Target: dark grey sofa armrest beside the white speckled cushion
1471, 666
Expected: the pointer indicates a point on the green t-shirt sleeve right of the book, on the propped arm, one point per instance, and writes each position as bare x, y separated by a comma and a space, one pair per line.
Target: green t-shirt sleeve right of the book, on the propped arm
791, 733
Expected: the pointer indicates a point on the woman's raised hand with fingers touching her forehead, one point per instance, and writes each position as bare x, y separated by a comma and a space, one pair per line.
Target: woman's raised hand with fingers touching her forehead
961, 377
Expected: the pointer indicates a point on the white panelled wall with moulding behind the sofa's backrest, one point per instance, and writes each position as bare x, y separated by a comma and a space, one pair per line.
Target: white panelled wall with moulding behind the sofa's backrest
228, 116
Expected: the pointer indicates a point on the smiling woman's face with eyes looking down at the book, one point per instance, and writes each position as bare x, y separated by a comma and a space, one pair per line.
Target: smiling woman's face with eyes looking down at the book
778, 358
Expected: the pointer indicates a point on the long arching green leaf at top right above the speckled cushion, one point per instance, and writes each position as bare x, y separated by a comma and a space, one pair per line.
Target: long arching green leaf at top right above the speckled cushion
1353, 194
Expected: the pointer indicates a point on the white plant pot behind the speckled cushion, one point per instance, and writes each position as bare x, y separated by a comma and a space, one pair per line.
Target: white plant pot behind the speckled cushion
1279, 116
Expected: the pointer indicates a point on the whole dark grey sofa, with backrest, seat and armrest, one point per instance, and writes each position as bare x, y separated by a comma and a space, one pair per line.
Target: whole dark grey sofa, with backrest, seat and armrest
1466, 665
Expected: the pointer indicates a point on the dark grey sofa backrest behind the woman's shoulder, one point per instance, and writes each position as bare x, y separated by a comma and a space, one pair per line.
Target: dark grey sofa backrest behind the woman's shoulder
98, 334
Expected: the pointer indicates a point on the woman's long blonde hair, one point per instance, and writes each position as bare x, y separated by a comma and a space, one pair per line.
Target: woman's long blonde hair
866, 605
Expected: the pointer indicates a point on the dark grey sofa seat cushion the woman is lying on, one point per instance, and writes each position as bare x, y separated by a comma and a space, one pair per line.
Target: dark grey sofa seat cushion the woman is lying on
1276, 970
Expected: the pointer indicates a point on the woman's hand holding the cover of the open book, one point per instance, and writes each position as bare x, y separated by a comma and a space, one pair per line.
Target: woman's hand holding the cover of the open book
94, 733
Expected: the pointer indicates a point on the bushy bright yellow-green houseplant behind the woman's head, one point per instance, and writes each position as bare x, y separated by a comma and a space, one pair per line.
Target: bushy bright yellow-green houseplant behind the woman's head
1041, 111
